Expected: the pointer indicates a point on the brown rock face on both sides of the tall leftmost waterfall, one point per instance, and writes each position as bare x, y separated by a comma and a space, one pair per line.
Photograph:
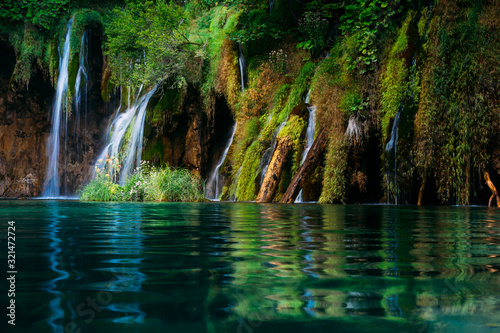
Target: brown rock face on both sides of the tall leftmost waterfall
25, 129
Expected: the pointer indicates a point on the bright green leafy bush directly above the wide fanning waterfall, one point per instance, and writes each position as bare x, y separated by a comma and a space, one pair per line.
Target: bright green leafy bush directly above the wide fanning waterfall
147, 43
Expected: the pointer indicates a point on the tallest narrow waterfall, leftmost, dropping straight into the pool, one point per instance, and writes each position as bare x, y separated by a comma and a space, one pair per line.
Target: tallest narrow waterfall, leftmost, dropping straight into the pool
51, 184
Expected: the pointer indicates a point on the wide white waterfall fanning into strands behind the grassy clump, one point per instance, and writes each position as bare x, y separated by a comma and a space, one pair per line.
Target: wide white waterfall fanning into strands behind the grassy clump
131, 121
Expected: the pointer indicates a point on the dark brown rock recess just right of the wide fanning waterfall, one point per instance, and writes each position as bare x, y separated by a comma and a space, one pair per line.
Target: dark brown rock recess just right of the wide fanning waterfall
190, 136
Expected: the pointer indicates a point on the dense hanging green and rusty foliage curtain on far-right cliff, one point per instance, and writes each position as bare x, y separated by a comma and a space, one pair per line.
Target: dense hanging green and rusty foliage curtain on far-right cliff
457, 121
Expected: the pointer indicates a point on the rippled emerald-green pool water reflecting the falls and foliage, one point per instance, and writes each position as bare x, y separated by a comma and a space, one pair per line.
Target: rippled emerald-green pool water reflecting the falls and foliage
241, 267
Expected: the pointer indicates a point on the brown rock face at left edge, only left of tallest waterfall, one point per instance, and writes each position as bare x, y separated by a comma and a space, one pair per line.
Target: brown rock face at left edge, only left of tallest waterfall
23, 130
